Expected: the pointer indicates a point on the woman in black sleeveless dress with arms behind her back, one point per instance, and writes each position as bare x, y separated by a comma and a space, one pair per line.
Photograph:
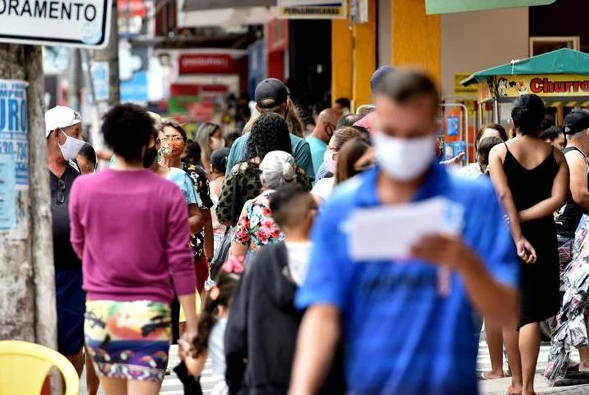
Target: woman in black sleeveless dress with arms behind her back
531, 179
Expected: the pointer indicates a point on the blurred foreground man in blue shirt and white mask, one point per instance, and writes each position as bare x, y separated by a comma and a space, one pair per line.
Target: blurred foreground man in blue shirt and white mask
400, 334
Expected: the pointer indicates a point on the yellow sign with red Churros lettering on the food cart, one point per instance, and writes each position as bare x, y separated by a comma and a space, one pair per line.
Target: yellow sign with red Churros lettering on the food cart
542, 85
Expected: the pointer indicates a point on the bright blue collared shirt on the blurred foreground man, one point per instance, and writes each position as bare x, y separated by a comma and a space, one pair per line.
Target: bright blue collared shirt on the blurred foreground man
401, 336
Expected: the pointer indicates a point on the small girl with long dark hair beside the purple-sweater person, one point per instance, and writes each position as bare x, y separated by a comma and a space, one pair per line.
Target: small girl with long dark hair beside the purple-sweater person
211, 331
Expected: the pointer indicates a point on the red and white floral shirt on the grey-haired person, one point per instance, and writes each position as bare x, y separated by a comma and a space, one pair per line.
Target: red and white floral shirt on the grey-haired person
255, 227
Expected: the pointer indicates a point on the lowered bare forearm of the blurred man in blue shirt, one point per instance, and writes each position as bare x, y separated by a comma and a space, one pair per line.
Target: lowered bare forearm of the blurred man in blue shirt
318, 337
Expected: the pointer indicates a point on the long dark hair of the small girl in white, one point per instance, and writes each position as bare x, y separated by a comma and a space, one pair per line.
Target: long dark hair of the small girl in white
226, 283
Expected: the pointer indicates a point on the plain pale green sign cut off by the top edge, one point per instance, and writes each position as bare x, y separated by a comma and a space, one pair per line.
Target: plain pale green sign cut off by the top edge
451, 6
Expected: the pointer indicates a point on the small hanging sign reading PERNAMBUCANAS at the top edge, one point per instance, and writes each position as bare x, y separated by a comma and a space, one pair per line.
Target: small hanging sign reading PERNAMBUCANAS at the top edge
312, 9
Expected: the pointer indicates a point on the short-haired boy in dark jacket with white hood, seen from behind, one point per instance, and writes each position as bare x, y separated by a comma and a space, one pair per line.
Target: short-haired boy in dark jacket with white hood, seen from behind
263, 323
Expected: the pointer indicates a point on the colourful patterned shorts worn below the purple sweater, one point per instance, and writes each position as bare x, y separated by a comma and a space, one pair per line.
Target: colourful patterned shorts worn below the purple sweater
128, 340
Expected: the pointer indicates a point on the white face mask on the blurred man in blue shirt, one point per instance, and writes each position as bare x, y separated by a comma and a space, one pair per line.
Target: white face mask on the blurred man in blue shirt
404, 159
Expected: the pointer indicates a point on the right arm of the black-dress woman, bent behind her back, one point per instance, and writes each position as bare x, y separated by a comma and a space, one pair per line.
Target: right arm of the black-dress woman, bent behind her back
560, 190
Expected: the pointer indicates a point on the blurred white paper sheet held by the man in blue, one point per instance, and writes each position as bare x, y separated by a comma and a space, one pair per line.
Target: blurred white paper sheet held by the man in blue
389, 232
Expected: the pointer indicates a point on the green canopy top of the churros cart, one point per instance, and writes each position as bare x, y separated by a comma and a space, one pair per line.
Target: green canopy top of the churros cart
562, 61
